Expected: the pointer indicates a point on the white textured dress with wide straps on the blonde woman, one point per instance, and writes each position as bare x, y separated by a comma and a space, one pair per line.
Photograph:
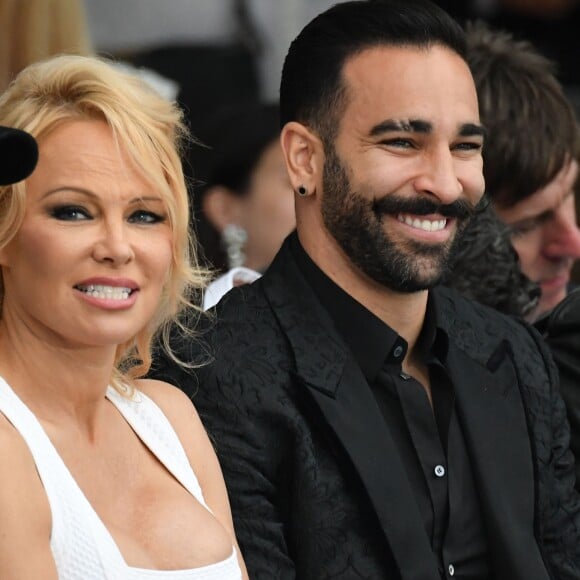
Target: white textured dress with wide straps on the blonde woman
82, 547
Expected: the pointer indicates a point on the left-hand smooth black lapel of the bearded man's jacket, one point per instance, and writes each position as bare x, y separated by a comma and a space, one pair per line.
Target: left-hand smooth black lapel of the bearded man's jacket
332, 382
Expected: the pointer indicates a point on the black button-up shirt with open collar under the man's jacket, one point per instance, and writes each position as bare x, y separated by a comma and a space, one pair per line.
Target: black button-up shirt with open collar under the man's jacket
429, 437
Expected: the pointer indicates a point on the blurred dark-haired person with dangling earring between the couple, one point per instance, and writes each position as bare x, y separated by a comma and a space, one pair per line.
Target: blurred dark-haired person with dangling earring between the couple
243, 196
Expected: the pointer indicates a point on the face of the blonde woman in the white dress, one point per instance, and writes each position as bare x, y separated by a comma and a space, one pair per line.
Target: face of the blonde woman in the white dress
91, 258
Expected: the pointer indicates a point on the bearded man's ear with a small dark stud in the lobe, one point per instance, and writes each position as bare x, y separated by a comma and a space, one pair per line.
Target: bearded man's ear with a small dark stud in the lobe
304, 156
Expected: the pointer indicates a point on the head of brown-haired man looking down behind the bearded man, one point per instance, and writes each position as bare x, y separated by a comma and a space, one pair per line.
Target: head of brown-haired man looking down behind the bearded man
530, 156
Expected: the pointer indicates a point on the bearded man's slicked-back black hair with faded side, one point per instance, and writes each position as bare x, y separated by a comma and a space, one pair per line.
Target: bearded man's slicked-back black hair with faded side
312, 89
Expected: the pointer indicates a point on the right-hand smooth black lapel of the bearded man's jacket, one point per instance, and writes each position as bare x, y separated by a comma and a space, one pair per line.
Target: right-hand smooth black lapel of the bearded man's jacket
494, 424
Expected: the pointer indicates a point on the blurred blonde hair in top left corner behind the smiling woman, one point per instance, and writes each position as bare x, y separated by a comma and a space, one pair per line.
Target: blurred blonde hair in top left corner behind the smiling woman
34, 30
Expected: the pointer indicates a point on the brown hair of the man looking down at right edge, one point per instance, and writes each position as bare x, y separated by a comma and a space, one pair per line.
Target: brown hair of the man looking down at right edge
531, 126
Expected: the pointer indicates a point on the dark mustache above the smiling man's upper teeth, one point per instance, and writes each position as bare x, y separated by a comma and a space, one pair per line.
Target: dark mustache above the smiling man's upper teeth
459, 209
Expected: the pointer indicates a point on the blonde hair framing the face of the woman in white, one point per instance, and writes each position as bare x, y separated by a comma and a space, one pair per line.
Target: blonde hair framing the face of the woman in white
150, 130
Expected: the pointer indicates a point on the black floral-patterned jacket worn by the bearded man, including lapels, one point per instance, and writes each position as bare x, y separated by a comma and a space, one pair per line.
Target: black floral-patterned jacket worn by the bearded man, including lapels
316, 485
